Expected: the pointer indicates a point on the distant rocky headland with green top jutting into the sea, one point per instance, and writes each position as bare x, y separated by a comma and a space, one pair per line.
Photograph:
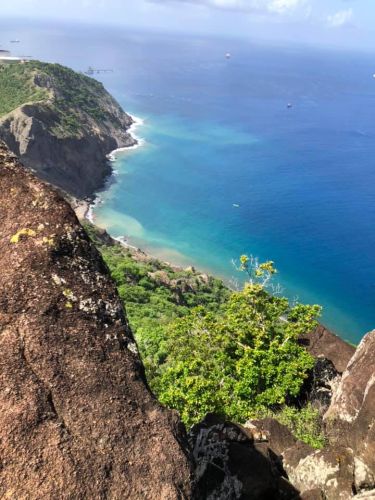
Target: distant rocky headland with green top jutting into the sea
61, 123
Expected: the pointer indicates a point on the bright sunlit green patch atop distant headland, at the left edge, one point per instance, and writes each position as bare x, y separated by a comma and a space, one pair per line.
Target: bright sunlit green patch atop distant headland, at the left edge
17, 87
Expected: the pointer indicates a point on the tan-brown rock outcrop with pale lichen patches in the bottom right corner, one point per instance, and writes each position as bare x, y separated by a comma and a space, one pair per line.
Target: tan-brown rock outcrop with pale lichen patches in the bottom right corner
346, 467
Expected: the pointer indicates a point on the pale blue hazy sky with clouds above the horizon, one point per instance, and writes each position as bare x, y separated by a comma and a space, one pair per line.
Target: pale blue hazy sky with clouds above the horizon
337, 23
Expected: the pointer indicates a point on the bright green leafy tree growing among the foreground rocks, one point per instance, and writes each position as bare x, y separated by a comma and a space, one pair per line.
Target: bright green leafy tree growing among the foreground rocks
243, 359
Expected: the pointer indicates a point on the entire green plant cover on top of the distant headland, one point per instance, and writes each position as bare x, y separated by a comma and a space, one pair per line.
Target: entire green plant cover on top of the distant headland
72, 97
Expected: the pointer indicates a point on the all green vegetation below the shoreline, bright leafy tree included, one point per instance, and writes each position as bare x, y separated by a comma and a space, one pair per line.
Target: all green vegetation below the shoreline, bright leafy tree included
208, 349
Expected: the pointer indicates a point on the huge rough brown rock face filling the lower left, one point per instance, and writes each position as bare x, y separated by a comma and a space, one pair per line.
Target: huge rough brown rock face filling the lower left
77, 419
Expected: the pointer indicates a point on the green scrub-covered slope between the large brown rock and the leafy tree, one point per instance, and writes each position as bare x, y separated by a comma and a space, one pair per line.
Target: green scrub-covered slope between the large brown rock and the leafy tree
155, 295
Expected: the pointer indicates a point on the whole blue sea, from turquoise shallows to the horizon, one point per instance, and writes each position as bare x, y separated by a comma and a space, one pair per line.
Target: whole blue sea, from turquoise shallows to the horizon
218, 133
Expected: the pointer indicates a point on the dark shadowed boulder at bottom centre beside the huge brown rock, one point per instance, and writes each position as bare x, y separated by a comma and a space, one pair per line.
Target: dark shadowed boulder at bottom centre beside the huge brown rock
231, 465
